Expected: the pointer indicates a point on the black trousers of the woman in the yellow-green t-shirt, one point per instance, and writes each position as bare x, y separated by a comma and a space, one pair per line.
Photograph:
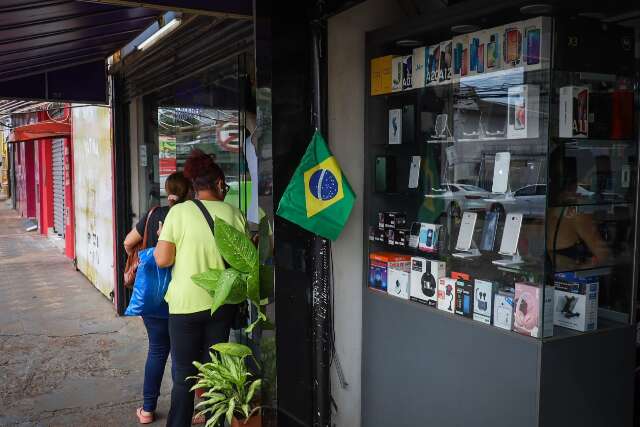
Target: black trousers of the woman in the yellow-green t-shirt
192, 335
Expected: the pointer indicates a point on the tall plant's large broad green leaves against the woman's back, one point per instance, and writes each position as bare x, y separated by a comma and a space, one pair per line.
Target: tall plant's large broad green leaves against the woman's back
244, 279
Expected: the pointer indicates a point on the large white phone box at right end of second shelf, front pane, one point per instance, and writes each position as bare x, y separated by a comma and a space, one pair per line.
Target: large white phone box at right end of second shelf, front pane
523, 112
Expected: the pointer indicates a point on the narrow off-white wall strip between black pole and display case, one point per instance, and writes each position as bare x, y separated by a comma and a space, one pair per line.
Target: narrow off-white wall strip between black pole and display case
346, 79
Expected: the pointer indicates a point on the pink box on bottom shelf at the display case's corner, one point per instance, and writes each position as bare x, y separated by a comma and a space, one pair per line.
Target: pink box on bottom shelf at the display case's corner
533, 316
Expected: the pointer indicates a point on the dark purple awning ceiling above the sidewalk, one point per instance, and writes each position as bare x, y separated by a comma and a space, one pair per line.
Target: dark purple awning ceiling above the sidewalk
56, 49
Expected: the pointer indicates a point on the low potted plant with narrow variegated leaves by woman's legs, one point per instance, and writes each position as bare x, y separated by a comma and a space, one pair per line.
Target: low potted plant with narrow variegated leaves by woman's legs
230, 387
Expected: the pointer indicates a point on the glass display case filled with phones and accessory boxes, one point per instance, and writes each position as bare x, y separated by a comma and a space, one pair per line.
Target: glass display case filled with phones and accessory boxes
501, 183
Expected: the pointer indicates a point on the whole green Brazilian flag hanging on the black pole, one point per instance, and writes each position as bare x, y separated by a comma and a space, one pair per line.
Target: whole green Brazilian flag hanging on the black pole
318, 198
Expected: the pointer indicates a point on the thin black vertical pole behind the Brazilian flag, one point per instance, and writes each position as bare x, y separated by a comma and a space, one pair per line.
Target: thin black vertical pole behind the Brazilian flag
321, 301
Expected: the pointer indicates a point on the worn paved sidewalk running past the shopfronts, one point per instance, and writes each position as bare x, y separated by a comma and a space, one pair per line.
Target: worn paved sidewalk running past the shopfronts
66, 358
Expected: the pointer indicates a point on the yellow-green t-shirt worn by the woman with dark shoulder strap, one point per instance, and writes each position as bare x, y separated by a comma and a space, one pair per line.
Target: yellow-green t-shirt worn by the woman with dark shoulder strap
196, 251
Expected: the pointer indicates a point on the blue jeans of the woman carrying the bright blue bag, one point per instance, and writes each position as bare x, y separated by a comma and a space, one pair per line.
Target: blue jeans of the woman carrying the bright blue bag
159, 348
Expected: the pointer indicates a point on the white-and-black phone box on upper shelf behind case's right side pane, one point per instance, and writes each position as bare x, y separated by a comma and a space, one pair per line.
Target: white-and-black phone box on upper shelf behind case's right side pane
574, 112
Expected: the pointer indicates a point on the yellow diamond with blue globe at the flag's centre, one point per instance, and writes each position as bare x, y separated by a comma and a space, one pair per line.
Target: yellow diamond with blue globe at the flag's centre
322, 186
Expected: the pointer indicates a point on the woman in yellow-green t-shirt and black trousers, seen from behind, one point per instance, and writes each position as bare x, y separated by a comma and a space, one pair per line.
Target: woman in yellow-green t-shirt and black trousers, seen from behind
186, 242
